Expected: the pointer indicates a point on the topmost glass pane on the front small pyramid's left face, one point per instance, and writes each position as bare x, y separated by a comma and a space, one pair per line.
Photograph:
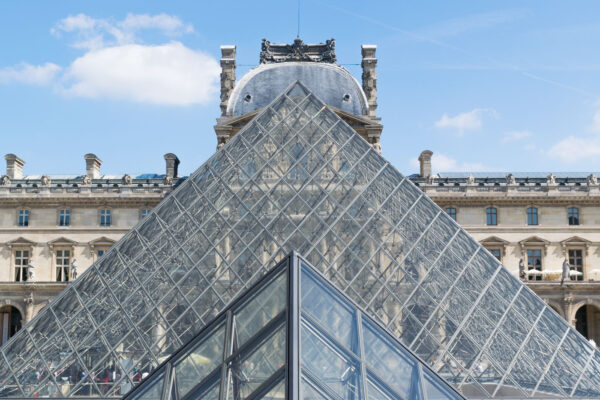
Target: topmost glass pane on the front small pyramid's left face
256, 313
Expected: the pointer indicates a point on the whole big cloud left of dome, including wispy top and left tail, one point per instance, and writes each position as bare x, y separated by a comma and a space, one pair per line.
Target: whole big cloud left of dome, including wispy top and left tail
116, 65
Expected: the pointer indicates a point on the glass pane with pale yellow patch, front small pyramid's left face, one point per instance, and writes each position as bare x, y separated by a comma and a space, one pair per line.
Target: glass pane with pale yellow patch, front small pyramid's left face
198, 362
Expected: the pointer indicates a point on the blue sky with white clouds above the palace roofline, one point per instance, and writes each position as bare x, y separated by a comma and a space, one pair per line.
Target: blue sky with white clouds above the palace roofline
505, 86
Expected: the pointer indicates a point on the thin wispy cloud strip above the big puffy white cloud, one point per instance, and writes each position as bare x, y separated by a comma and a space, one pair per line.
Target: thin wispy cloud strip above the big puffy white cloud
93, 33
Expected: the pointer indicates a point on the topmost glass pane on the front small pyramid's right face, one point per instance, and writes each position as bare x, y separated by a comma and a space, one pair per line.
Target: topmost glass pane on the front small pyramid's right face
328, 309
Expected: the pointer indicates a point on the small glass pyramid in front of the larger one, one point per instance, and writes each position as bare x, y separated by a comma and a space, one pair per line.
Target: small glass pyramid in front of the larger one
293, 336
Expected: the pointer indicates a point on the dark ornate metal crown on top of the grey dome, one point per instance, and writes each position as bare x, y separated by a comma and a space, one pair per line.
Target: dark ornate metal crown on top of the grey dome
297, 51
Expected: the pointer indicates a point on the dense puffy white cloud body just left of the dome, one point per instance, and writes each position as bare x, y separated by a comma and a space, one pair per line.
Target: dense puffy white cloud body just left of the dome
169, 74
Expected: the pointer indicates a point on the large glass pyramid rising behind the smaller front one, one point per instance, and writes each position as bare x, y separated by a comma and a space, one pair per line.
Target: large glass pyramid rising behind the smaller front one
297, 177
